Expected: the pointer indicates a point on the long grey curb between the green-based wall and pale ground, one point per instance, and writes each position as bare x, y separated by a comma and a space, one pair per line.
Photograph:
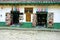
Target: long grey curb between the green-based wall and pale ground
30, 29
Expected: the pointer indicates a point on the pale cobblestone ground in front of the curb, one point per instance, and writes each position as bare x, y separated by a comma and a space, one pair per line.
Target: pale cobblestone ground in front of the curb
28, 35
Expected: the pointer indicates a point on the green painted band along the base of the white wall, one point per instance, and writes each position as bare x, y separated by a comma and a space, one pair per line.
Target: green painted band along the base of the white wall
29, 25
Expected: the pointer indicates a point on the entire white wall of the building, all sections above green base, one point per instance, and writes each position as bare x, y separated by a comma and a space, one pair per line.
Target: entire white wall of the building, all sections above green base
56, 12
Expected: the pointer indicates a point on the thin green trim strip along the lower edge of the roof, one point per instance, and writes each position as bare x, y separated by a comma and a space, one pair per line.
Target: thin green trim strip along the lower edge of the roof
30, 3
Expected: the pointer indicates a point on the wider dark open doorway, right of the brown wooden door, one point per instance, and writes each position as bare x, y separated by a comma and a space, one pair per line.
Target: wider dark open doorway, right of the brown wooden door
42, 19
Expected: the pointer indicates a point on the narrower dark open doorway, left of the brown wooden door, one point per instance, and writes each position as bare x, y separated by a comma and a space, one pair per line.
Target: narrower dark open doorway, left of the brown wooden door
15, 17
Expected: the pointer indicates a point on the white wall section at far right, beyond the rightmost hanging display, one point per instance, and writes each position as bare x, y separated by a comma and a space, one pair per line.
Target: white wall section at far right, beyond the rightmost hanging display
56, 12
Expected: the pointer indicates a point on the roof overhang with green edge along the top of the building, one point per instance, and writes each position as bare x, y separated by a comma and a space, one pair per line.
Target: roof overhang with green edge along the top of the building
30, 2
